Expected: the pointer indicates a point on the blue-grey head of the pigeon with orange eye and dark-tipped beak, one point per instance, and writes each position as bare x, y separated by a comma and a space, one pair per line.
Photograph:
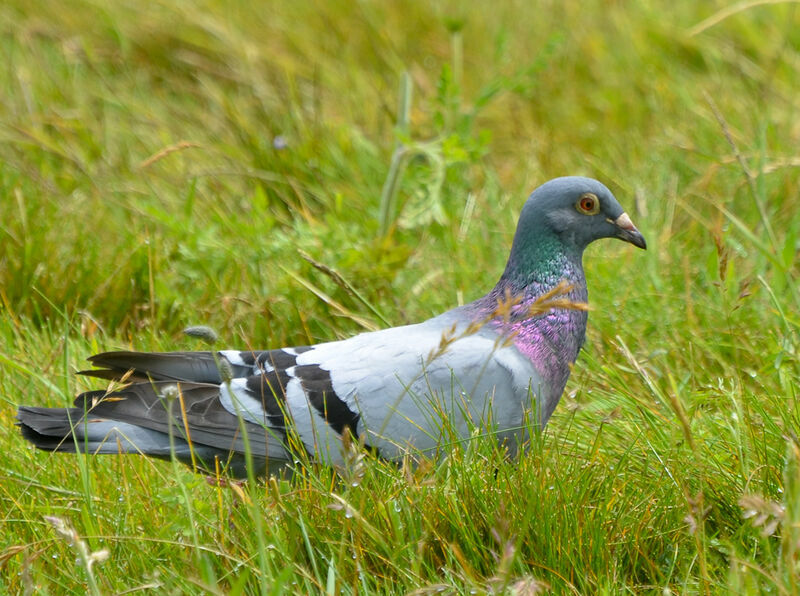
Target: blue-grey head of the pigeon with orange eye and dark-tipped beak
578, 211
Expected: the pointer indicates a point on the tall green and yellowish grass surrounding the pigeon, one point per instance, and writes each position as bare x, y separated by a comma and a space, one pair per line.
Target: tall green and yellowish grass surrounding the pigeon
288, 175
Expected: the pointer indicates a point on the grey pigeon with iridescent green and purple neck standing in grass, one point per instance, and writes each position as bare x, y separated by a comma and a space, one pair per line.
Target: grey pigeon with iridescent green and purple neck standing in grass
496, 365
